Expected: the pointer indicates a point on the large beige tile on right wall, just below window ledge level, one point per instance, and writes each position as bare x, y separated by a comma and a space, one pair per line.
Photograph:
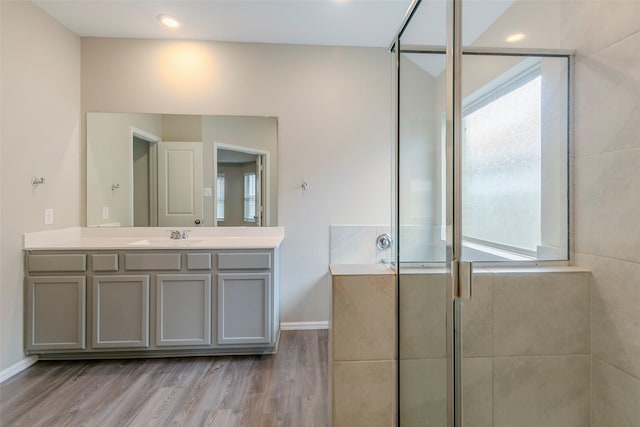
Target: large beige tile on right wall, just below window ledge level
615, 322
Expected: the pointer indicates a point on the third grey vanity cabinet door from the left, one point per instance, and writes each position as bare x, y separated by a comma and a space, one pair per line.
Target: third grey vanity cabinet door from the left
183, 310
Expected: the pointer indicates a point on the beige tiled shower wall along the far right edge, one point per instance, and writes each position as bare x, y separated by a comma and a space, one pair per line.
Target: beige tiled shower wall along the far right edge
607, 205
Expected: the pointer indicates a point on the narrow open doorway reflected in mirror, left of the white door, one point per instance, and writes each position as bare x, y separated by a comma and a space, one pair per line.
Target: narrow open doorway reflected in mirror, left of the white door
144, 178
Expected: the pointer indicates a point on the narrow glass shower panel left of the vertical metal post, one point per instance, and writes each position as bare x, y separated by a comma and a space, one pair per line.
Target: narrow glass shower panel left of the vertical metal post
424, 305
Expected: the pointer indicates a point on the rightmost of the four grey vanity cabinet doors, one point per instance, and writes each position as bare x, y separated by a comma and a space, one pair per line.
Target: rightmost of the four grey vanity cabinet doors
244, 308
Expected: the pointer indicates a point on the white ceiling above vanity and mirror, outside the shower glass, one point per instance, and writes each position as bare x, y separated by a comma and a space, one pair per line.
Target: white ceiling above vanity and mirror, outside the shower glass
313, 22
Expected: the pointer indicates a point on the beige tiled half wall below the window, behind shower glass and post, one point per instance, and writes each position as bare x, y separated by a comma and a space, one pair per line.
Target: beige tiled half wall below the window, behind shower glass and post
526, 346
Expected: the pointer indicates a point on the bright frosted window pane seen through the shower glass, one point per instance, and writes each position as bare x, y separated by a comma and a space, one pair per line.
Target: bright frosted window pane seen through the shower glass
502, 167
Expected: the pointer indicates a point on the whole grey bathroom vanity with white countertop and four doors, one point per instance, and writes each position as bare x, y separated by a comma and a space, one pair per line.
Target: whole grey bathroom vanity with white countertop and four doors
132, 292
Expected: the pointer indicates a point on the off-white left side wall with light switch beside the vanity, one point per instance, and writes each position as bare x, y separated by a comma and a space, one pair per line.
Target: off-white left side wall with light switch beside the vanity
40, 137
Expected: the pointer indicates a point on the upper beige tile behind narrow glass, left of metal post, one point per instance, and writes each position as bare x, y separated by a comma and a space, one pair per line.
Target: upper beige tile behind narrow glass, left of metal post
422, 316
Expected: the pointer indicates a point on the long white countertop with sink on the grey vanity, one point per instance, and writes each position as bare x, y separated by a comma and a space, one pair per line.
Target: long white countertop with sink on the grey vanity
85, 238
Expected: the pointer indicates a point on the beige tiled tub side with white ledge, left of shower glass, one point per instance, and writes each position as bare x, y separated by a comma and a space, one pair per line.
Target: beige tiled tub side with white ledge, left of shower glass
362, 346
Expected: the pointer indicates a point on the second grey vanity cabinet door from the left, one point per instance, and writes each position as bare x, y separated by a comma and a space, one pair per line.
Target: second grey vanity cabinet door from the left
120, 315
